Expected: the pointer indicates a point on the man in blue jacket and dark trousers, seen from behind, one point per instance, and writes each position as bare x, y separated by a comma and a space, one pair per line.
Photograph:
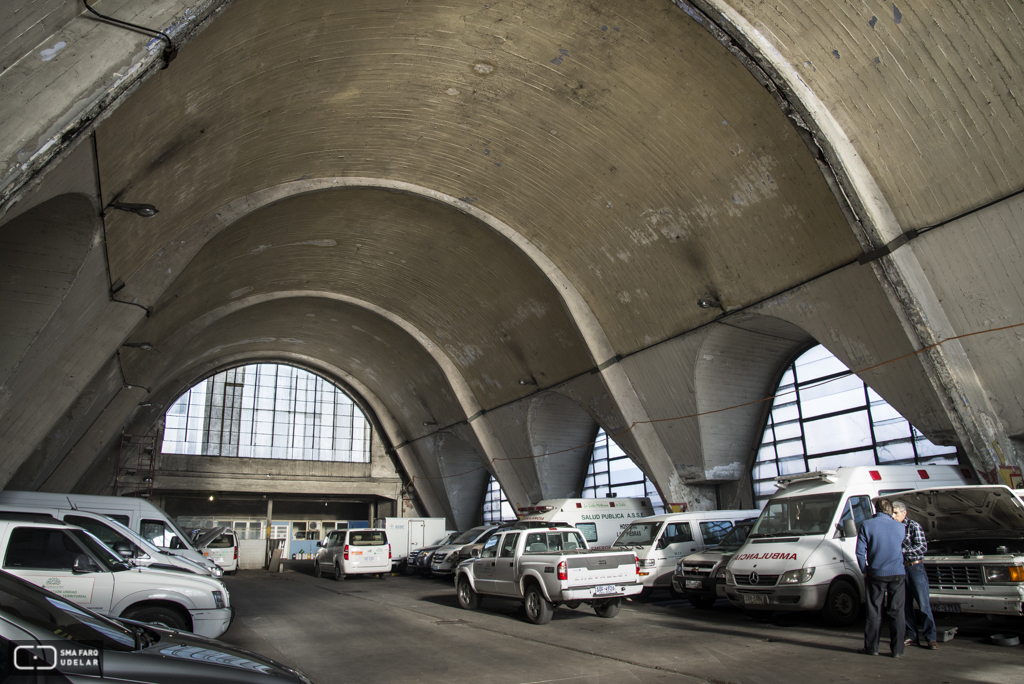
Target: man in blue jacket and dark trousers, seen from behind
880, 554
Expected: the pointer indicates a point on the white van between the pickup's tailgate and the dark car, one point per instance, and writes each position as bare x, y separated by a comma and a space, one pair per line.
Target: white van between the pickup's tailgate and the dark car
661, 541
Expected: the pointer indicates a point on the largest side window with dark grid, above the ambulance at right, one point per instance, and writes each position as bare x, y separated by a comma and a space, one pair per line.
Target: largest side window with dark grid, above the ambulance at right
824, 416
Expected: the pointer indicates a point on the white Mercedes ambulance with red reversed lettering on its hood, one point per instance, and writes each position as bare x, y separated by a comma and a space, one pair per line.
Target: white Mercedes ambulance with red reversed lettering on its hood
801, 554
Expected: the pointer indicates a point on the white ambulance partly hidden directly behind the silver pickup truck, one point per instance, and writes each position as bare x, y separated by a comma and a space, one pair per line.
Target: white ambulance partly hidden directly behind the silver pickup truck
601, 521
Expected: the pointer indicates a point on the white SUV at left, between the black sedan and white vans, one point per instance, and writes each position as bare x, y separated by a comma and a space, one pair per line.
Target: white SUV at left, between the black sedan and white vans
70, 562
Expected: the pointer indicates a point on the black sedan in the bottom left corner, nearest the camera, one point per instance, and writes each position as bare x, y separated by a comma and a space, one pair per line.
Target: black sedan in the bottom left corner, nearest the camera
48, 633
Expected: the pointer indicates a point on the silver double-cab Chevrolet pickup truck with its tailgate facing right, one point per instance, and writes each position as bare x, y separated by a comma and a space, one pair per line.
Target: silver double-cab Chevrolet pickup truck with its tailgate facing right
546, 569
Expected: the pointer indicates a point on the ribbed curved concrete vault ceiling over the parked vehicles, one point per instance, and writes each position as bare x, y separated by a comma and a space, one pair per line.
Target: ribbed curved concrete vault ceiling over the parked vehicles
493, 224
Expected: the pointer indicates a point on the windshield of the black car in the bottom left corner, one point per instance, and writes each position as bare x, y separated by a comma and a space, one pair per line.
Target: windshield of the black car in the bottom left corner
32, 605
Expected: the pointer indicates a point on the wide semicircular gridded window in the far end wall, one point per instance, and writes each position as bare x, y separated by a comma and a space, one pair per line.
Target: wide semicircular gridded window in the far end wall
268, 411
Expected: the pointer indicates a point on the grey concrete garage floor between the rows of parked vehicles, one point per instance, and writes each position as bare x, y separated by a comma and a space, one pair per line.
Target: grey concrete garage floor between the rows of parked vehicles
411, 629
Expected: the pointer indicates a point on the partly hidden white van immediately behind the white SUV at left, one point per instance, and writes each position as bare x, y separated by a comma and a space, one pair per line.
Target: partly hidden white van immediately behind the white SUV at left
123, 540
